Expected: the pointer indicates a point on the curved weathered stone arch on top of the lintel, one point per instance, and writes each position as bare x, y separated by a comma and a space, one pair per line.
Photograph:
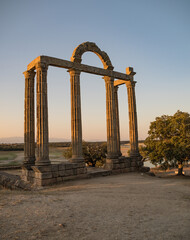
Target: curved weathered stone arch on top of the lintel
91, 47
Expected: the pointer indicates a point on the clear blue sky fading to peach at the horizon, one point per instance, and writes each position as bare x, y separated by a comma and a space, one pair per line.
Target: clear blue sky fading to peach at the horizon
153, 36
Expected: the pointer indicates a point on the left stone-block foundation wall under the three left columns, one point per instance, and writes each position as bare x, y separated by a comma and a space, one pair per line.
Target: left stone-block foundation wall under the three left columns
53, 173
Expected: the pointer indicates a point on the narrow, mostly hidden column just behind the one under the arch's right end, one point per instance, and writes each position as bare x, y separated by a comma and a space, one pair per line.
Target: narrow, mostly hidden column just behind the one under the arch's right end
117, 120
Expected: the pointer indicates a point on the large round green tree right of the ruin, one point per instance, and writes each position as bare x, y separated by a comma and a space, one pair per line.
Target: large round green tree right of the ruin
168, 141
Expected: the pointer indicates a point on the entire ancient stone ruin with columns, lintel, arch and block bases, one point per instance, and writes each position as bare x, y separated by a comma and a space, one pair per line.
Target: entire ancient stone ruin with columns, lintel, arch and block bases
38, 169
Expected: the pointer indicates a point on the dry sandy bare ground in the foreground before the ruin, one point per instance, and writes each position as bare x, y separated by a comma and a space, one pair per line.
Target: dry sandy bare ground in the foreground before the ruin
128, 206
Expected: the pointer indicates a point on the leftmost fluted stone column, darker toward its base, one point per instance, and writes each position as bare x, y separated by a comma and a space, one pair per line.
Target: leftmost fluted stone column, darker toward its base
29, 129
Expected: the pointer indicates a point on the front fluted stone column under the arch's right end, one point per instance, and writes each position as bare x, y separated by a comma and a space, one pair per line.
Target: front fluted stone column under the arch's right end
112, 152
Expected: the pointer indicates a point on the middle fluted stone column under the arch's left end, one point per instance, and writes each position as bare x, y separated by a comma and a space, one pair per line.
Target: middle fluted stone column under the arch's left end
76, 122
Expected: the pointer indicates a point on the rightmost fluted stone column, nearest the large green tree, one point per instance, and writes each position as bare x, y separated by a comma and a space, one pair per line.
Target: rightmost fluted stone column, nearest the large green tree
133, 129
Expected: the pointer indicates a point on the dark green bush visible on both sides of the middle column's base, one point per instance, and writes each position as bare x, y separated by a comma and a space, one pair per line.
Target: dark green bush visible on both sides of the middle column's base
93, 153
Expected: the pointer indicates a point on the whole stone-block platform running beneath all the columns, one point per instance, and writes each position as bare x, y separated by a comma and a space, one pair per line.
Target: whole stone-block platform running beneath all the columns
57, 173
